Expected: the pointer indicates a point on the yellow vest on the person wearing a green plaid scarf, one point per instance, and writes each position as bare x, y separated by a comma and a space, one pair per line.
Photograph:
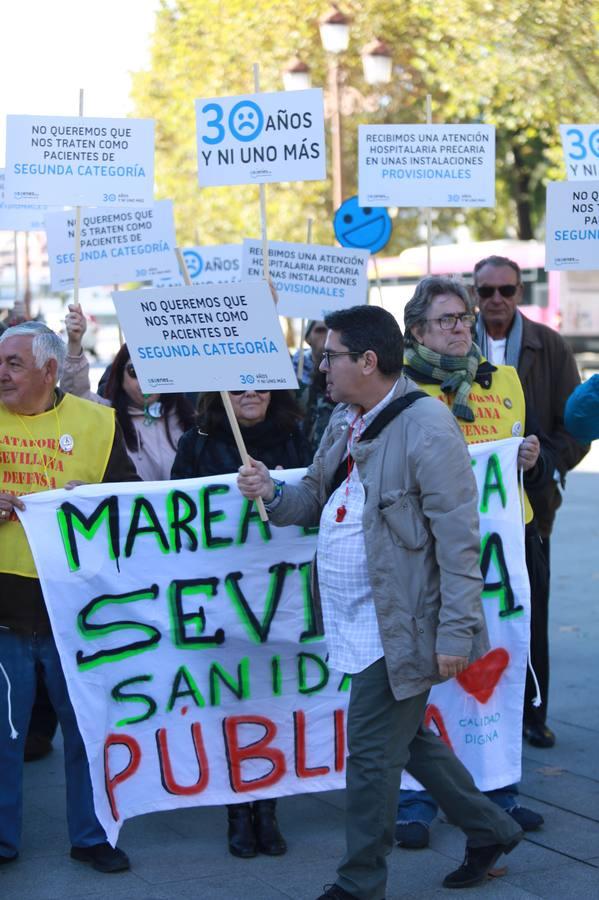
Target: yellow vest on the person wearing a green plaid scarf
499, 411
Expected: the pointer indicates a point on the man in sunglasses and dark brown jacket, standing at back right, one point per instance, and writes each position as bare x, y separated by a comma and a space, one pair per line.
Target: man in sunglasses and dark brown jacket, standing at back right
548, 373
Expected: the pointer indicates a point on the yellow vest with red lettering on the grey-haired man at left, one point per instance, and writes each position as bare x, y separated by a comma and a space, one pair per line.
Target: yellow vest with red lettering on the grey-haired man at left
33, 458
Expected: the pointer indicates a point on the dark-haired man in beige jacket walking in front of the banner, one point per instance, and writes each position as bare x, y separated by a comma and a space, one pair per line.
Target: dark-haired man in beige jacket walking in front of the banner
399, 615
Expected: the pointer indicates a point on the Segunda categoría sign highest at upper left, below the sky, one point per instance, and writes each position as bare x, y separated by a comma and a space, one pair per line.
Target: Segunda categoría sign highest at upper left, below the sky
79, 161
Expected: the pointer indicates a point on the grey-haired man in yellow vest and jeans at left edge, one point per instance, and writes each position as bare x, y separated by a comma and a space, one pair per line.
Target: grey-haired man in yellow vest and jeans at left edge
48, 440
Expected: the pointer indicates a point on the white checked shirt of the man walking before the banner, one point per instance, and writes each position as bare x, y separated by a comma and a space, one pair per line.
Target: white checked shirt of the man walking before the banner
350, 621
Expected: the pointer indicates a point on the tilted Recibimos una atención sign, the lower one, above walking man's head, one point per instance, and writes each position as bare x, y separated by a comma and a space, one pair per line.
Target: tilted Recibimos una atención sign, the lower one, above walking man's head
311, 280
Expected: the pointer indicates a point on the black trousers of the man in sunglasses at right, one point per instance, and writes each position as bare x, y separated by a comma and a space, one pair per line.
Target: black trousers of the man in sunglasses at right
537, 563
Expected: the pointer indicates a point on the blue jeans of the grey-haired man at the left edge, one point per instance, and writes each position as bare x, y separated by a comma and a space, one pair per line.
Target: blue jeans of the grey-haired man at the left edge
21, 656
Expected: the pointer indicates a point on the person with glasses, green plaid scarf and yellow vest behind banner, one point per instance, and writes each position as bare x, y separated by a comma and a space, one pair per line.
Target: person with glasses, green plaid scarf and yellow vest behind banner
488, 403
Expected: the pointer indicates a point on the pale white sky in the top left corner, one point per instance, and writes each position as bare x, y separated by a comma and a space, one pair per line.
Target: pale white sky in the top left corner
52, 48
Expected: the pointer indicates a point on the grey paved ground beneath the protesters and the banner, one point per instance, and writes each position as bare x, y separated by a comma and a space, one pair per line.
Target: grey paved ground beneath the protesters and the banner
182, 854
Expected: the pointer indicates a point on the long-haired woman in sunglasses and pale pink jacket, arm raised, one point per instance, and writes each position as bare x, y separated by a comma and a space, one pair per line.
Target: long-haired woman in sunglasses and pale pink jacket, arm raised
152, 424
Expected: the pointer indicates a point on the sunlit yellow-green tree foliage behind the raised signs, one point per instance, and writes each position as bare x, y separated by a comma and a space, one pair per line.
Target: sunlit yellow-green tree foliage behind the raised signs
522, 65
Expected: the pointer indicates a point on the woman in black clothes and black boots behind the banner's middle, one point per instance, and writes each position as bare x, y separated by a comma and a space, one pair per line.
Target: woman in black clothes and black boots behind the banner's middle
270, 426
